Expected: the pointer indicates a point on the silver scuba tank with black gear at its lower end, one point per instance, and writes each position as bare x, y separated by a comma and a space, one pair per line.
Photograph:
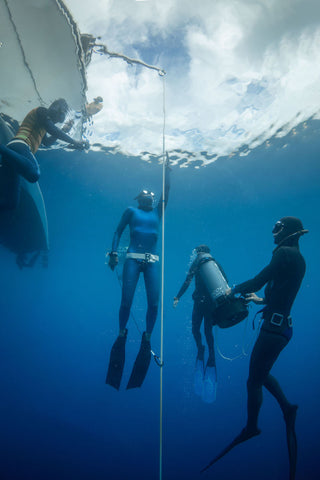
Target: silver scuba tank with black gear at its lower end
227, 310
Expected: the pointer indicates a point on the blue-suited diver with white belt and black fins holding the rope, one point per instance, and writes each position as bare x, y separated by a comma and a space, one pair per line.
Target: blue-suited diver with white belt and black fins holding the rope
143, 222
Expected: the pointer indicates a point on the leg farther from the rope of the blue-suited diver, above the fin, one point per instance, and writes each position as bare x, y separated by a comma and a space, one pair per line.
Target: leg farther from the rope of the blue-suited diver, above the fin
131, 271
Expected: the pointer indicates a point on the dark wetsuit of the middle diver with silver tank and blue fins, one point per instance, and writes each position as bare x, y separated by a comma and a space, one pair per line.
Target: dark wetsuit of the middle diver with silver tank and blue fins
202, 309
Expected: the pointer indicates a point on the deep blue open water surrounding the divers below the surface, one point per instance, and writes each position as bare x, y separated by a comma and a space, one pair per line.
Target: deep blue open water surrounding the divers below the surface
59, 420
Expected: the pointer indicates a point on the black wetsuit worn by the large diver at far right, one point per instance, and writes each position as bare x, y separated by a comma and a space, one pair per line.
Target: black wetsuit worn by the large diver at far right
283, 277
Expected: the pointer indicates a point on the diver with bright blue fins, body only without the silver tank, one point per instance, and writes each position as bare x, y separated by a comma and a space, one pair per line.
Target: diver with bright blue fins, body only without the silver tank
205, 377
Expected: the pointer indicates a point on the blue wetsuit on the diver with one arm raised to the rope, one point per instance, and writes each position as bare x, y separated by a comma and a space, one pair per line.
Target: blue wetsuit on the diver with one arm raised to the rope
144, 228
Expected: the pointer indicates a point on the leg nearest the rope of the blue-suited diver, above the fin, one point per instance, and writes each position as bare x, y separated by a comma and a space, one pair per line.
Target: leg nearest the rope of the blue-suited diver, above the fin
152, 284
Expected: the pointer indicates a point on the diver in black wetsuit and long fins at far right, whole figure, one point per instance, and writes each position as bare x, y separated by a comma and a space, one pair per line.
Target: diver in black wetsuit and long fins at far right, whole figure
283, 277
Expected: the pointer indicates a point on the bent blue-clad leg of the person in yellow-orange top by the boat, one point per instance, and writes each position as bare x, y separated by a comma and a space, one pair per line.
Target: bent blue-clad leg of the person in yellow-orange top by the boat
20, 156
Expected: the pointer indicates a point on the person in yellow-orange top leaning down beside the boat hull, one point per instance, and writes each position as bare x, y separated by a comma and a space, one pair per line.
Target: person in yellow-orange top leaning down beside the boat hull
18, 156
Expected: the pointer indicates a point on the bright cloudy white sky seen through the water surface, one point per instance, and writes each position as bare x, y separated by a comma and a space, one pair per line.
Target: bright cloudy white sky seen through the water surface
237, 73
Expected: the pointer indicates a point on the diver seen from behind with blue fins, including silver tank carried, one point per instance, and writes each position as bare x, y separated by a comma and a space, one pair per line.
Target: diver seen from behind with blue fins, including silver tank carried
211, 305
